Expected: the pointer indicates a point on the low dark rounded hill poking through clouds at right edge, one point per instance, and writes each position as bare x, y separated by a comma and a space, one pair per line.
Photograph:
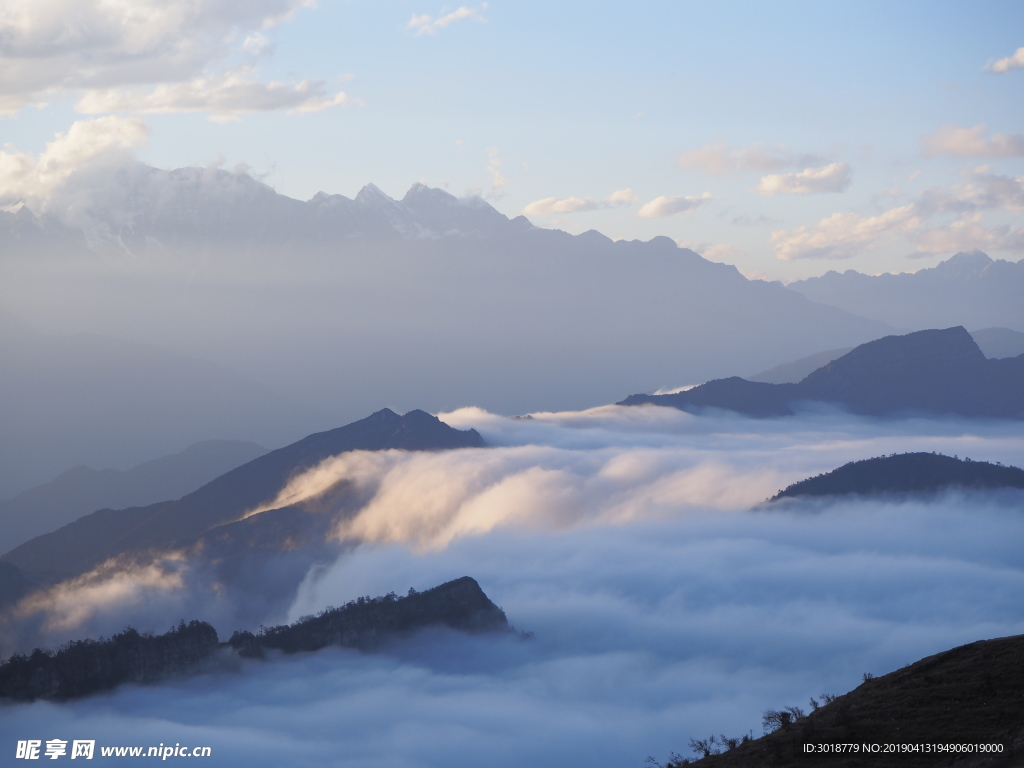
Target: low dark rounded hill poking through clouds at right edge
907, 474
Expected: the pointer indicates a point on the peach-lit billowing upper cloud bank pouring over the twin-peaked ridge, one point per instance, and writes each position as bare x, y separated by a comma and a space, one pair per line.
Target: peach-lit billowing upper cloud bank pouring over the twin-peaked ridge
607, 466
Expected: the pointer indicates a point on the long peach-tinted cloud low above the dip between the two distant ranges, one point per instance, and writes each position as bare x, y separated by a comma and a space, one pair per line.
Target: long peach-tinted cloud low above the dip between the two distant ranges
844, 235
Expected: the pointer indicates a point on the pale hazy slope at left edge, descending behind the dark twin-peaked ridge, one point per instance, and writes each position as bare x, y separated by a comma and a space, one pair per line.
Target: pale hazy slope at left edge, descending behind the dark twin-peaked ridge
100, 402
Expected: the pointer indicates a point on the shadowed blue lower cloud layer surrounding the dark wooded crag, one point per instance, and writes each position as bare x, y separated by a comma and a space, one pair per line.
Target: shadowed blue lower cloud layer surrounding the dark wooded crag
643, 641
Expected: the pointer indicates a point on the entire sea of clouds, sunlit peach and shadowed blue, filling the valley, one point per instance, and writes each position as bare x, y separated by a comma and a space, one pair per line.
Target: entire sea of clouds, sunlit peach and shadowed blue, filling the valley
666, 602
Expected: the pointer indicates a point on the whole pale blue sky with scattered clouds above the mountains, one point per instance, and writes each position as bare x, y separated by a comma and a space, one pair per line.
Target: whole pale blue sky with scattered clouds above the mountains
867, 111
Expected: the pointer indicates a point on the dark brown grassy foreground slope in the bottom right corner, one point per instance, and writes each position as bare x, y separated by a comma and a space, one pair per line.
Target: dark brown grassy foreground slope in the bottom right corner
967, 696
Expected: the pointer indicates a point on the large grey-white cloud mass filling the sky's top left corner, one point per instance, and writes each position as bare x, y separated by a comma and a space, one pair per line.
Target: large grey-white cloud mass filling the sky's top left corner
148, 57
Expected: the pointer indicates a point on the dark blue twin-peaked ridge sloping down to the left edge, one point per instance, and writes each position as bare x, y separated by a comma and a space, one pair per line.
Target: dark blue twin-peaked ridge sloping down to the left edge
90, 541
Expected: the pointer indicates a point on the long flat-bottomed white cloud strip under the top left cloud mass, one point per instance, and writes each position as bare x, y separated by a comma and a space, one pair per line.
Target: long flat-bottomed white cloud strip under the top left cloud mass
226, 97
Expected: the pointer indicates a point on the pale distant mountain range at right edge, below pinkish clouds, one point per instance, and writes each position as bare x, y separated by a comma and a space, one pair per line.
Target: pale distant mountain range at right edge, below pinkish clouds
968, 289
